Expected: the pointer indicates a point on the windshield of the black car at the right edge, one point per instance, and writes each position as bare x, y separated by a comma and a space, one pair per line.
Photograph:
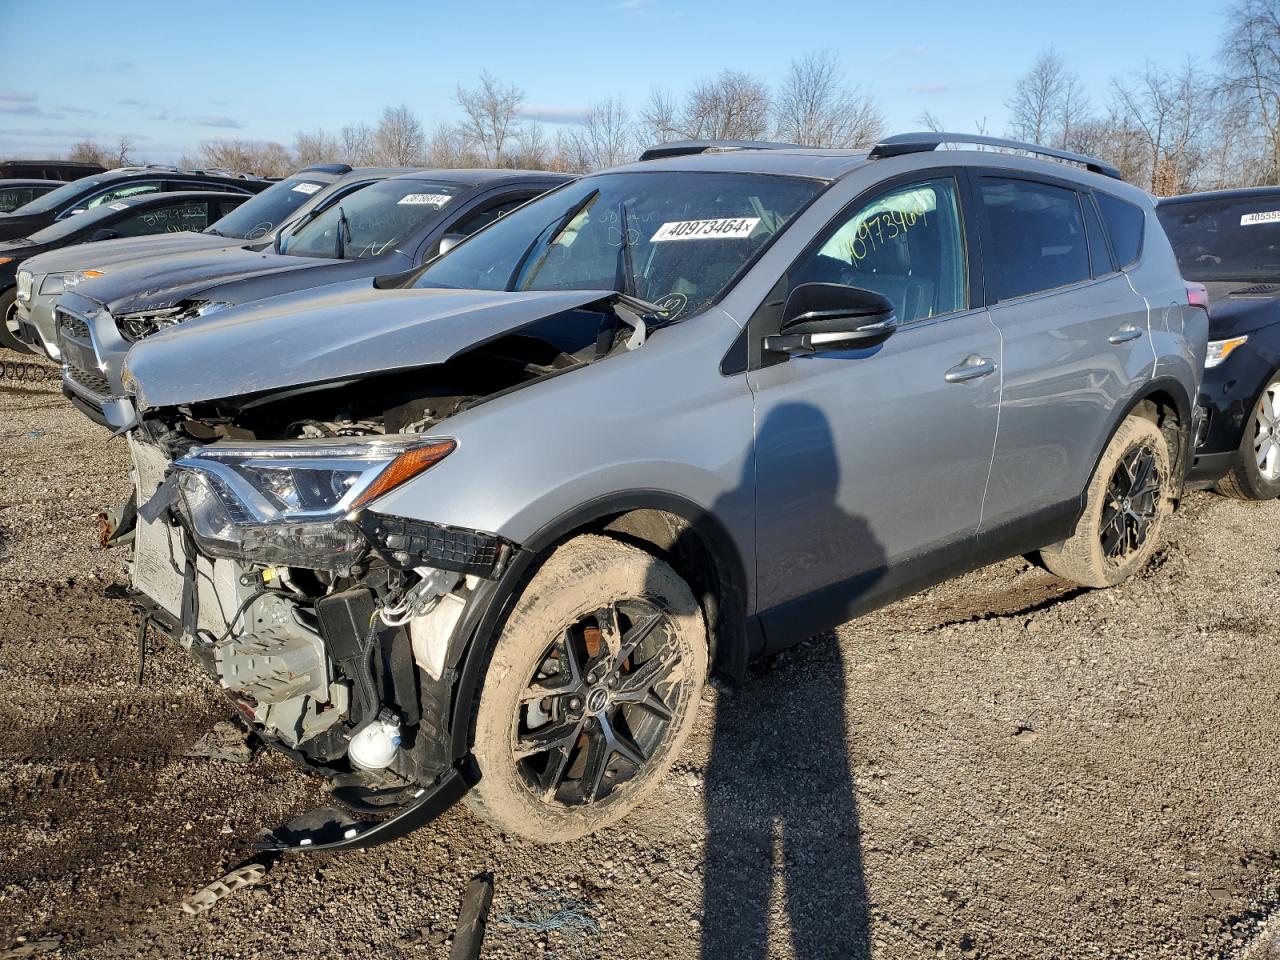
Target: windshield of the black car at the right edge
1237, 240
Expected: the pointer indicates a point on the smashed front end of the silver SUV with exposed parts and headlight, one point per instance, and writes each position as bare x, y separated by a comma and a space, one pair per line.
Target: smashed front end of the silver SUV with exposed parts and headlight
337, 629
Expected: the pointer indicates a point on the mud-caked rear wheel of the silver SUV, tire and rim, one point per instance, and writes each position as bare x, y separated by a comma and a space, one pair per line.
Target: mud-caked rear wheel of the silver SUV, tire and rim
1127, 502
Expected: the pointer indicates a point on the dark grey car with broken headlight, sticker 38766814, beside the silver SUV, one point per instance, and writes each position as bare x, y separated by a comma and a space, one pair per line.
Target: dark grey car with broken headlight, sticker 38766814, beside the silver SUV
386, 228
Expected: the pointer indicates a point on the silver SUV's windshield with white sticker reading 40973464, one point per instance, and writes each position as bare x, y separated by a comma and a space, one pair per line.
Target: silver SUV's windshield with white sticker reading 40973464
678, 240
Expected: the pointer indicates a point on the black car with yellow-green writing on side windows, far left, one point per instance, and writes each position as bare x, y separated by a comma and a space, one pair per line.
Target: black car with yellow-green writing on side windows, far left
149, 214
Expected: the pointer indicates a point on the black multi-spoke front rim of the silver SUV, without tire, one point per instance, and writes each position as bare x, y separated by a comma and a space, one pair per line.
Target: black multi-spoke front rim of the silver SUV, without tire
600, 705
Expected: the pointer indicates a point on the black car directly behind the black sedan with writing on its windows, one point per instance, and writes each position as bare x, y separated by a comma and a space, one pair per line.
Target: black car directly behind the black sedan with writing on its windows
89, 193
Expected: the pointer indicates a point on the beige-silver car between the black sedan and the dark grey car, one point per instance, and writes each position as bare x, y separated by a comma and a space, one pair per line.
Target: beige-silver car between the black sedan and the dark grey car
269, 211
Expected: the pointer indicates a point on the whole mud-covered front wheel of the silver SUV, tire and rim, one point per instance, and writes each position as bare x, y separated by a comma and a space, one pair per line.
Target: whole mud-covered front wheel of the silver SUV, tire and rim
591, 693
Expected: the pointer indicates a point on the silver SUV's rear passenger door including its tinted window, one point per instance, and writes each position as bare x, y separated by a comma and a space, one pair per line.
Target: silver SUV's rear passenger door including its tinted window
1076, 344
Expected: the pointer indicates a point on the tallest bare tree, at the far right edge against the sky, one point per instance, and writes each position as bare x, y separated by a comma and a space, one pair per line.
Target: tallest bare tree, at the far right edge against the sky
1251, 52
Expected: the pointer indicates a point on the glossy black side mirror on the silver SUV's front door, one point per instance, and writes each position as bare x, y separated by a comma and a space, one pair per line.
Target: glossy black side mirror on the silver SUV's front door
825, 317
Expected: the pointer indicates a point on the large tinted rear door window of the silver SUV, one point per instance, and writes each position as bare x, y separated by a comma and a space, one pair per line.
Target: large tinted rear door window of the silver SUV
1036, 237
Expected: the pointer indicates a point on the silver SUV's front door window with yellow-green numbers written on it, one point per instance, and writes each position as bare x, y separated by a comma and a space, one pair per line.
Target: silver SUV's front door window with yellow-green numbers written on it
907, 245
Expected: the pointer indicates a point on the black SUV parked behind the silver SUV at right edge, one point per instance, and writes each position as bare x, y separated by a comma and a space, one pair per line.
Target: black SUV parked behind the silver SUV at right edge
1231, 243
